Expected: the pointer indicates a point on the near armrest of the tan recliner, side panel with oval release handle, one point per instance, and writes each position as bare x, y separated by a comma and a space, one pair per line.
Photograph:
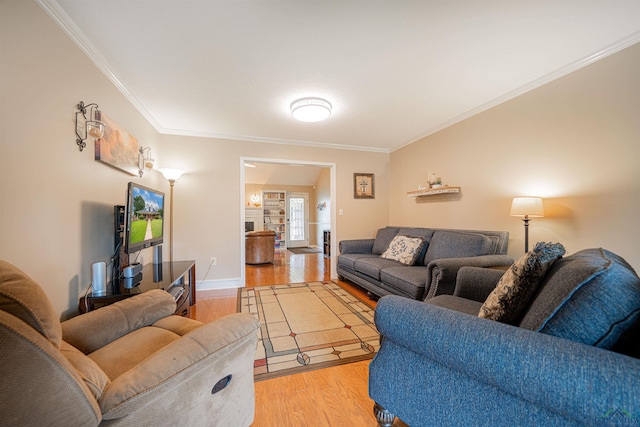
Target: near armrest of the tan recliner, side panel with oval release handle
191, 366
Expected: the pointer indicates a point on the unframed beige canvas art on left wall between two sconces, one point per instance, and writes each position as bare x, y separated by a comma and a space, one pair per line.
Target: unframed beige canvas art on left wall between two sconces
117, 147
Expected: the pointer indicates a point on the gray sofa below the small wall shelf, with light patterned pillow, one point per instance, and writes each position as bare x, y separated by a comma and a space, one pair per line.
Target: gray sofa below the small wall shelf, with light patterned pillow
434, 271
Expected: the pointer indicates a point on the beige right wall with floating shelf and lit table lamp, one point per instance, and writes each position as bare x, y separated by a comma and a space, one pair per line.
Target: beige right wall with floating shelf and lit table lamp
575, 142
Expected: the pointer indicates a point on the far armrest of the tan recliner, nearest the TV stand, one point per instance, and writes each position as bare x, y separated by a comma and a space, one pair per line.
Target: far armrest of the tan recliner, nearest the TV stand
90, 331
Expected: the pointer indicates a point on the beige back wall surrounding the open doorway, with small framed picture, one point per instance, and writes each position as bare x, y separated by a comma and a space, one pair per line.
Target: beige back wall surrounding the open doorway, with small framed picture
207, 199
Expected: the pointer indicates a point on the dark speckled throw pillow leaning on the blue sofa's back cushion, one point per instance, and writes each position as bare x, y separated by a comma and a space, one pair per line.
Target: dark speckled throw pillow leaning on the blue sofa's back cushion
518, 284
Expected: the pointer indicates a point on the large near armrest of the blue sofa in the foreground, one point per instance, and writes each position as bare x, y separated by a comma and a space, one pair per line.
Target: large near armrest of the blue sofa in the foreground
441, 367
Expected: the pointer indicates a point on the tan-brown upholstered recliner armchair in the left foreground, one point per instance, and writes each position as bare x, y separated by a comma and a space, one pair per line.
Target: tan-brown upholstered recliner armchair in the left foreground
130, 363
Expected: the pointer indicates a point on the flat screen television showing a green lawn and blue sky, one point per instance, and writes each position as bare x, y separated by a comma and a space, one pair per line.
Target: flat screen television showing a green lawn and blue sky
144, 215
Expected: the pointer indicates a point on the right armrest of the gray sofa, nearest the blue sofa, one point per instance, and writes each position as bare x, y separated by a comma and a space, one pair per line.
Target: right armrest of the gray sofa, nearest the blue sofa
443, 272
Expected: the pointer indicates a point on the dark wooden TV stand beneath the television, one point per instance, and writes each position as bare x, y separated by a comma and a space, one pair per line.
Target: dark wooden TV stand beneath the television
169, 276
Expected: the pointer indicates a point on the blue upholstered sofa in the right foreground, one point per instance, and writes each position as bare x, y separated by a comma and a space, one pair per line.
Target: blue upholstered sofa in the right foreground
572, 358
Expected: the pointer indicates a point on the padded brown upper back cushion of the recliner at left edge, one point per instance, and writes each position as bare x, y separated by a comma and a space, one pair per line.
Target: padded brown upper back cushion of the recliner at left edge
25, 299
